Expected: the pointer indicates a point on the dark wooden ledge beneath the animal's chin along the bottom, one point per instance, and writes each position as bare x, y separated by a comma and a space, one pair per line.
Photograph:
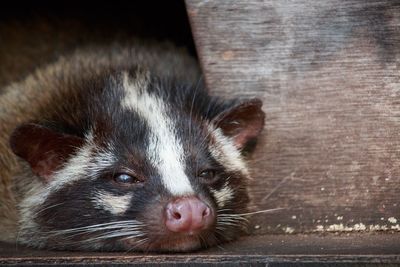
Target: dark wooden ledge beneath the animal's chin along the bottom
274, 250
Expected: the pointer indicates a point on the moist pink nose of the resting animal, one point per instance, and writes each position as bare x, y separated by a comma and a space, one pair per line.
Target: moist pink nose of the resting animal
188, 214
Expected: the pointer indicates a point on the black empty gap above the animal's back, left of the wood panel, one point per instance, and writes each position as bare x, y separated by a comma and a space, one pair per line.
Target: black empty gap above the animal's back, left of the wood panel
158, 20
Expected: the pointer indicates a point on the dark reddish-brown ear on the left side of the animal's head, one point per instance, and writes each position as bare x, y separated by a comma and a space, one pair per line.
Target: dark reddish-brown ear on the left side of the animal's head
44, 149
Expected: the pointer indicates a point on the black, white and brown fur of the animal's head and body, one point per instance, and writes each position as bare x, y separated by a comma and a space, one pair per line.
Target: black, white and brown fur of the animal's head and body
78, 123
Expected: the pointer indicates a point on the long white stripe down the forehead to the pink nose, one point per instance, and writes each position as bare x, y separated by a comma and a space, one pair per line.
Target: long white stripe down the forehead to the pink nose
164, 150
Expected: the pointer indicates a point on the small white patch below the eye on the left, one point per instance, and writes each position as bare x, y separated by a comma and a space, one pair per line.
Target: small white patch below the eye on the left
116, 205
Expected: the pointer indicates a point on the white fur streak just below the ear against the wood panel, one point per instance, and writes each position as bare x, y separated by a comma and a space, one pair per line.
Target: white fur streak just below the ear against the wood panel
225, 152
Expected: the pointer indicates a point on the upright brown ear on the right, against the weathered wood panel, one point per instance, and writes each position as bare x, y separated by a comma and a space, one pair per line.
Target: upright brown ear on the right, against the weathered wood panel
242, 123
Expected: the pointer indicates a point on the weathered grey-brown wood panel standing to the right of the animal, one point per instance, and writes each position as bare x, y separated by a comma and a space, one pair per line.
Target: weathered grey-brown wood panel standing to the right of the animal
328, 73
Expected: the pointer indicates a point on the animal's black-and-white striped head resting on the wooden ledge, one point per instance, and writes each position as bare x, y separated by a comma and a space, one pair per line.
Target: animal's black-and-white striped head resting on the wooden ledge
135, 162
